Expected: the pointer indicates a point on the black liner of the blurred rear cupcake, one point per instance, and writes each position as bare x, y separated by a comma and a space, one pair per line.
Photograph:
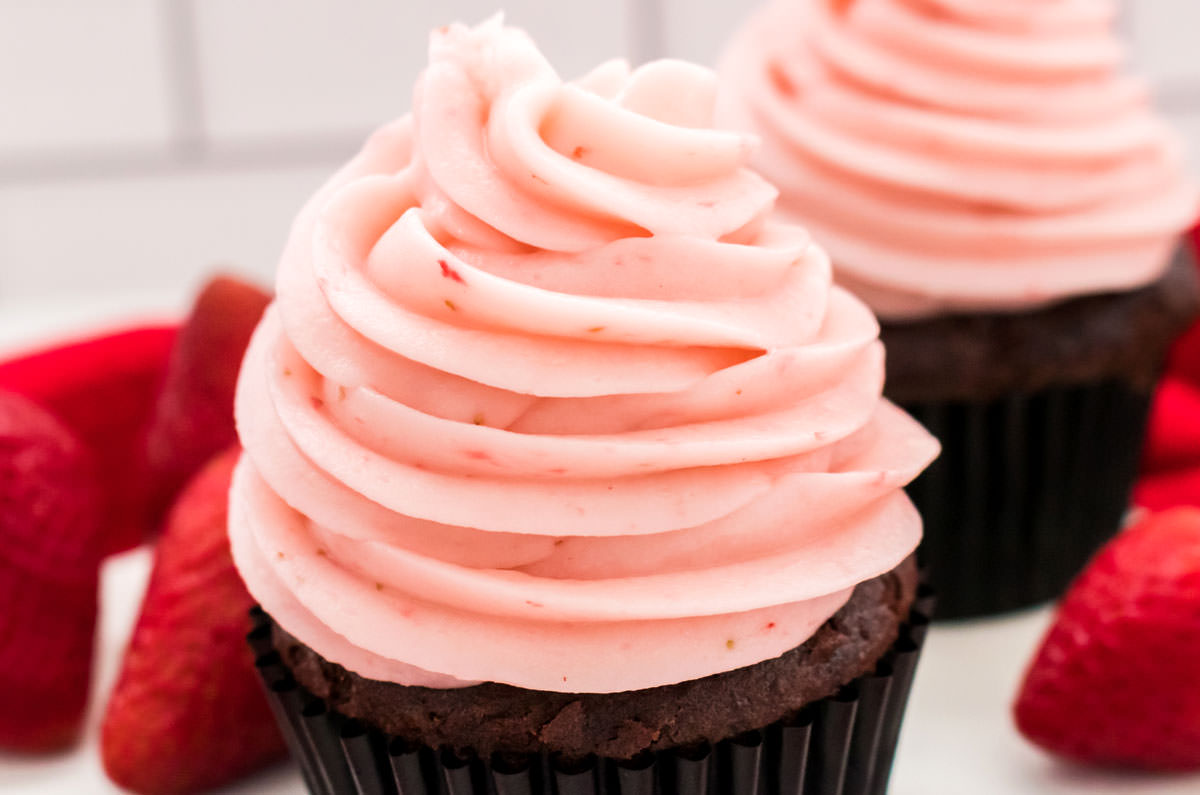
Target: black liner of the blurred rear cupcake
1028, 488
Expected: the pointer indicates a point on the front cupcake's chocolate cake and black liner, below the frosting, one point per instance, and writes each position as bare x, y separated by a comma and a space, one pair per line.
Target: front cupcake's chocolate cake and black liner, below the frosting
416, 742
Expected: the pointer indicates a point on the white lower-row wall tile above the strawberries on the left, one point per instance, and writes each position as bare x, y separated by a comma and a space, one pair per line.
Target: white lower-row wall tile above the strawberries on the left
159, 235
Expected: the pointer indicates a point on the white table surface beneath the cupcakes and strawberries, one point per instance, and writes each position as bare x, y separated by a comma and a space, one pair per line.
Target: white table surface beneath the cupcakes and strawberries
958, 737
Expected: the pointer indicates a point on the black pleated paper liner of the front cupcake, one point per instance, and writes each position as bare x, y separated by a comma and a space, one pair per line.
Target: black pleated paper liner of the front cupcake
843, 745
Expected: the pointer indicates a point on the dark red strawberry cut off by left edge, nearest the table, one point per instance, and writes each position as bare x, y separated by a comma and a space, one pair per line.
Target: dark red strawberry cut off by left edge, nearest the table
50, 564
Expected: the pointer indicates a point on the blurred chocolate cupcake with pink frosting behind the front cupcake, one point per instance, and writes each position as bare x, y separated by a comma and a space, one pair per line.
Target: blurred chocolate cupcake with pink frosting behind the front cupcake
991, 183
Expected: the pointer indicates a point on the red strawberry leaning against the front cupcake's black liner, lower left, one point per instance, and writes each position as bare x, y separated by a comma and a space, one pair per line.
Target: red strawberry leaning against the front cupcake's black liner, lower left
188, 713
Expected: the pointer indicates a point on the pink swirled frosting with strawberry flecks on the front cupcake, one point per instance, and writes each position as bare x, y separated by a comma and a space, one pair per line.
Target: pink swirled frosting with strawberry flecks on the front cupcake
544, 401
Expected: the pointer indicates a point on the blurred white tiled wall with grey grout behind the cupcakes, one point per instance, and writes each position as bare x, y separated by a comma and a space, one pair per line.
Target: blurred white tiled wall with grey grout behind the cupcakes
146, 142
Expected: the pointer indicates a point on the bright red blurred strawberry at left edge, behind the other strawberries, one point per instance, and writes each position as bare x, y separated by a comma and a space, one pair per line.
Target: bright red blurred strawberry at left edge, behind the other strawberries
104, 390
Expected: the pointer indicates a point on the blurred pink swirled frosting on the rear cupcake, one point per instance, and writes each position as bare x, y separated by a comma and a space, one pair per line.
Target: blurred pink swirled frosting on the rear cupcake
961, 156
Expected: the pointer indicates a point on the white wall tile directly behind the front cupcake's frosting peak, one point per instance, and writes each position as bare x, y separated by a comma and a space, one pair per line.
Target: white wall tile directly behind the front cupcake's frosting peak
320, 67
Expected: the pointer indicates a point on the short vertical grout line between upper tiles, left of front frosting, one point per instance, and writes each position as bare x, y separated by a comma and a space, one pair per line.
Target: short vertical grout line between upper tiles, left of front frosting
187, 100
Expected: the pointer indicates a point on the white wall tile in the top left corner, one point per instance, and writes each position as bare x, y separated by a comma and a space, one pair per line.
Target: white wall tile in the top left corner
82, 75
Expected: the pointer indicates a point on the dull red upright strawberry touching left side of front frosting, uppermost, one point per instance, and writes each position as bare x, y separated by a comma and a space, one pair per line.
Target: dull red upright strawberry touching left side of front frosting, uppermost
193, 420
